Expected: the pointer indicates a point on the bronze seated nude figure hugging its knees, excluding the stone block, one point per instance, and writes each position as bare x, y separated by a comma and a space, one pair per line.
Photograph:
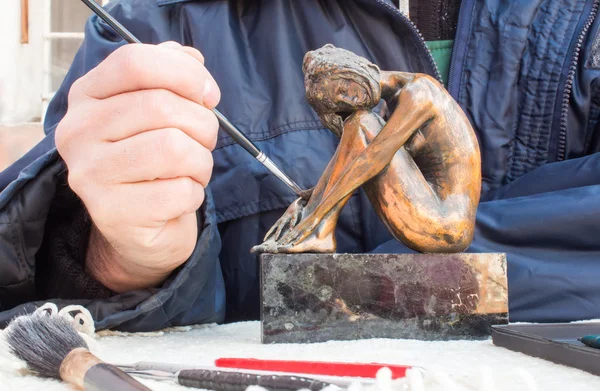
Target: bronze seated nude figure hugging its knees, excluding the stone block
421, 169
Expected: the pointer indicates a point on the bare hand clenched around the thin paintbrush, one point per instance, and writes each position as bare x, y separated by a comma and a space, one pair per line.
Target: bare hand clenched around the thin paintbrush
137, 141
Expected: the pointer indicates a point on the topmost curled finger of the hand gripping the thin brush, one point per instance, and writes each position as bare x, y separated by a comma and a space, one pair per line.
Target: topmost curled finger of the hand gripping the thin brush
136, 67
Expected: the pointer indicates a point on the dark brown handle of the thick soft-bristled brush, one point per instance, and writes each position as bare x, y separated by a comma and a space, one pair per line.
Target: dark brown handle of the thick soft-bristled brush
106, 377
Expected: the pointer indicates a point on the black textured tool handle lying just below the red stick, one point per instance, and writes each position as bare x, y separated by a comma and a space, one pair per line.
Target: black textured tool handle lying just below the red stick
237, 381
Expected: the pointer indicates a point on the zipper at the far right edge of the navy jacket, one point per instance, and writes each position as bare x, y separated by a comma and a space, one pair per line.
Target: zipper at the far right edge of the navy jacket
564, 113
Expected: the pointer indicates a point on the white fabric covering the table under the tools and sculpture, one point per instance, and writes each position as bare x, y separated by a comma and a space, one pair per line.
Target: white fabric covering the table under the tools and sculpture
460, 365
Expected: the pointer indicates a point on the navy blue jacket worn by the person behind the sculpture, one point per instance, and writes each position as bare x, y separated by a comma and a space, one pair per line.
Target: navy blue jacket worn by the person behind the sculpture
524, 71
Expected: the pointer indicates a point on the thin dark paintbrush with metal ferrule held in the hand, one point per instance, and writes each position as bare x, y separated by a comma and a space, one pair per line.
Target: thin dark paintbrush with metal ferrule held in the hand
227, 126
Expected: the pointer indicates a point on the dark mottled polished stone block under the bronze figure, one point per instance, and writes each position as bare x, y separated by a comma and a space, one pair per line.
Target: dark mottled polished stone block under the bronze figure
320, 297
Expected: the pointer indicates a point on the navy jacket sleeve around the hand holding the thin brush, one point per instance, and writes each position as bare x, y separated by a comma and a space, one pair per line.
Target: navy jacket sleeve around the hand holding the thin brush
44, 227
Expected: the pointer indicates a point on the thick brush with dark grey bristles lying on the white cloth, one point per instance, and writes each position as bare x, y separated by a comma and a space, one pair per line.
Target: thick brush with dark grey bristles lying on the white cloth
51, 347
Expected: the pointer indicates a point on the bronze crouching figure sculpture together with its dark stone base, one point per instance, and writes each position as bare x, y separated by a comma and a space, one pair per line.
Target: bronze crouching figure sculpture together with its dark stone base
419, 164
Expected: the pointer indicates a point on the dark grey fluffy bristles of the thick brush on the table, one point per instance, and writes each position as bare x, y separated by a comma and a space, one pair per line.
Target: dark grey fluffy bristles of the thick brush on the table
43, 342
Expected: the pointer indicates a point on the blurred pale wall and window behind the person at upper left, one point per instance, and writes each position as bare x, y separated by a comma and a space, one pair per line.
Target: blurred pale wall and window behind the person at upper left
39, 39
